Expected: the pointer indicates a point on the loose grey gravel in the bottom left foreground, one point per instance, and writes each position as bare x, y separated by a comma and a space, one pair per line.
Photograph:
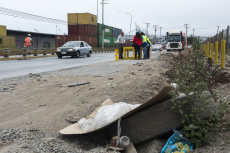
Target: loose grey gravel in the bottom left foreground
33, 140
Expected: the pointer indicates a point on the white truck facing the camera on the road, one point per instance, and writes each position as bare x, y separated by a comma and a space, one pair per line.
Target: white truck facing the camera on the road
174, 40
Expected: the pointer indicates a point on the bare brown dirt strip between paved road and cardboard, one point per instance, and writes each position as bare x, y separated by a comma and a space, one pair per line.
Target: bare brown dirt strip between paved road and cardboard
49, 105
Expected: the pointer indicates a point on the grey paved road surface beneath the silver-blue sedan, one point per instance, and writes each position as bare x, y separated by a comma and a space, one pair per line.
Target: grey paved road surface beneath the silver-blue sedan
15, 68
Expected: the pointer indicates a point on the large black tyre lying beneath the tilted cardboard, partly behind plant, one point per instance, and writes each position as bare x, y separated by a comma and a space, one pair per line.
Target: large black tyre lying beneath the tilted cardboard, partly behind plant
153, 121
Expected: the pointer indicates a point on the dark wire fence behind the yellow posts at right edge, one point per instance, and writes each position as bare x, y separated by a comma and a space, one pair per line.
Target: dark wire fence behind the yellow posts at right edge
224, 34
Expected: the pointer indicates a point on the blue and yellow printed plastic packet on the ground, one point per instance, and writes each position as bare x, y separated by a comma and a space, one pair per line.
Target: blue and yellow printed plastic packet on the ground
177, 143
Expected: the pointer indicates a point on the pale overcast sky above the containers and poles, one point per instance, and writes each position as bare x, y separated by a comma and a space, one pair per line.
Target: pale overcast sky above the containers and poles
169, 14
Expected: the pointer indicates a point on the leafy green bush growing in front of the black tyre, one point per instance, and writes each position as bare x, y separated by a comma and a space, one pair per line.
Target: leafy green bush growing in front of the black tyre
193, 78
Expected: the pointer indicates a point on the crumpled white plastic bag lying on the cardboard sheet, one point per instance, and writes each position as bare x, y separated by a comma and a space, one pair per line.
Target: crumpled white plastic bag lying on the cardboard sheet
105, 115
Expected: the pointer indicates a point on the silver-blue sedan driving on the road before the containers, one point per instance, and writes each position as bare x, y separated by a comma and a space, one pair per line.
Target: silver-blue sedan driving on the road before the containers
74, 49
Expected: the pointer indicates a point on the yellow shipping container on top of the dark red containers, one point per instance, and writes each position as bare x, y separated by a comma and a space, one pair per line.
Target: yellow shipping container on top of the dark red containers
81, 18
